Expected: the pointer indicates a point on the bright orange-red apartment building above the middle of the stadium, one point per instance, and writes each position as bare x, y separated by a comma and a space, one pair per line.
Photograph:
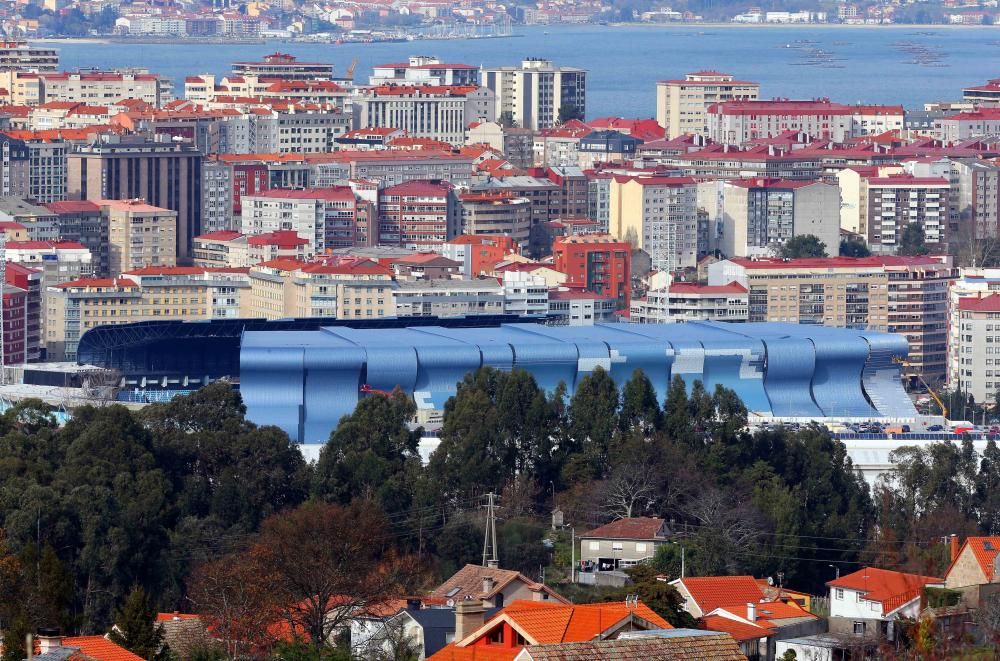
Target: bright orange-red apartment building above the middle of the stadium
597, 263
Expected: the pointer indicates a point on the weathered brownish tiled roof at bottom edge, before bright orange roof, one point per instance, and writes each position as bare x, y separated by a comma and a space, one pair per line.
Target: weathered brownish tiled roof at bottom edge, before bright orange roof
668, 645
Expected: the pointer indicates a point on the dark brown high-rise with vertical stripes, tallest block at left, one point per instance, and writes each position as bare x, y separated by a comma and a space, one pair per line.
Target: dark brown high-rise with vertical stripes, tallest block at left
164, 174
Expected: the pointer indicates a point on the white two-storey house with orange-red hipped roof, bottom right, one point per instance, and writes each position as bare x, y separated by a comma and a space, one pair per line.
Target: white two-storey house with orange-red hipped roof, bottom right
870, 599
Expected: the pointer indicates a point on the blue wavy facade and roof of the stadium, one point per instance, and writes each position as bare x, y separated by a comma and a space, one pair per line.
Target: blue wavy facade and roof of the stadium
304, 380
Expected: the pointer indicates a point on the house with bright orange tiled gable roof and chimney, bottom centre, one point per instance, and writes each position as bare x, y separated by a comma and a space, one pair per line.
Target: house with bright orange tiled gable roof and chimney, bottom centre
525, 624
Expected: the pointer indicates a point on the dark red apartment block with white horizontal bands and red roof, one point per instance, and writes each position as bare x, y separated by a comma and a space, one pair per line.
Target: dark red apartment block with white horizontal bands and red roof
419, 215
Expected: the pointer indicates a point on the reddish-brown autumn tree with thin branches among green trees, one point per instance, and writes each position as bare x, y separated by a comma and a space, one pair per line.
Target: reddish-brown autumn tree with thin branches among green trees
328, 563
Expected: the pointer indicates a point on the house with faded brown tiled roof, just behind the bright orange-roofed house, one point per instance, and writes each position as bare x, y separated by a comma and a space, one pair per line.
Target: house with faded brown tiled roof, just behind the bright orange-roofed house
495, 587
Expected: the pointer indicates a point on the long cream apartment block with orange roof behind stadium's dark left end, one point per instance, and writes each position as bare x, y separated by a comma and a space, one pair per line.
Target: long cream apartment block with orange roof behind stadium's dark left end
73, 308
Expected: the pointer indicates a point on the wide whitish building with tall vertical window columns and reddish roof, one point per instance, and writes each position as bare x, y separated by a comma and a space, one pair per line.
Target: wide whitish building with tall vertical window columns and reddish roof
440, 112
